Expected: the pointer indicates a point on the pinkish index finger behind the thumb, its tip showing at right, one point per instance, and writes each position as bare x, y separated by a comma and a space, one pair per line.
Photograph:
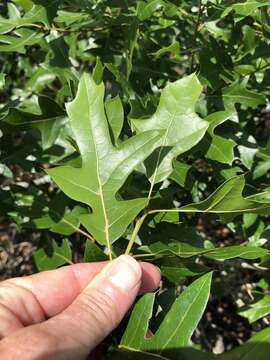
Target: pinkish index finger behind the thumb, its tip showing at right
29, 300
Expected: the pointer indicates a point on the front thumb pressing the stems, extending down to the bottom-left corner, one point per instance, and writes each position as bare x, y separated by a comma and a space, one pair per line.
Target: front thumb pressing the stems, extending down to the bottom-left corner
88, 320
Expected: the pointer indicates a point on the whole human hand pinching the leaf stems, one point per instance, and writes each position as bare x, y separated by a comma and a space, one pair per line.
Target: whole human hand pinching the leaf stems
66, 313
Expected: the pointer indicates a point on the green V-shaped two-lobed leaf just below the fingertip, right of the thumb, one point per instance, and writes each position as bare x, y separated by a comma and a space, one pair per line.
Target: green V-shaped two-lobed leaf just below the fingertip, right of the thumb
178, 325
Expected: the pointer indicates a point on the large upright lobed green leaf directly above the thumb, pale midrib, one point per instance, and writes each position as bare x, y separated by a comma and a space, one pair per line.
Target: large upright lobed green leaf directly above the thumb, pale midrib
104, 168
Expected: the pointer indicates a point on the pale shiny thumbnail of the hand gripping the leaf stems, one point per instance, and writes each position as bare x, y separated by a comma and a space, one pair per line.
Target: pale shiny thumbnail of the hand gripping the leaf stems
124, 272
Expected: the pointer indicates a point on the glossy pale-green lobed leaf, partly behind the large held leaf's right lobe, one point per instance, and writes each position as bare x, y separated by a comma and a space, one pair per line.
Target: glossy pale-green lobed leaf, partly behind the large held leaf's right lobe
183, 128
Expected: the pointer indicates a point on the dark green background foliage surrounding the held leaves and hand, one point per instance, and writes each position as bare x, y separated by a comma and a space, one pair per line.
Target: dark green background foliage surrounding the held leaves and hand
136, 48
